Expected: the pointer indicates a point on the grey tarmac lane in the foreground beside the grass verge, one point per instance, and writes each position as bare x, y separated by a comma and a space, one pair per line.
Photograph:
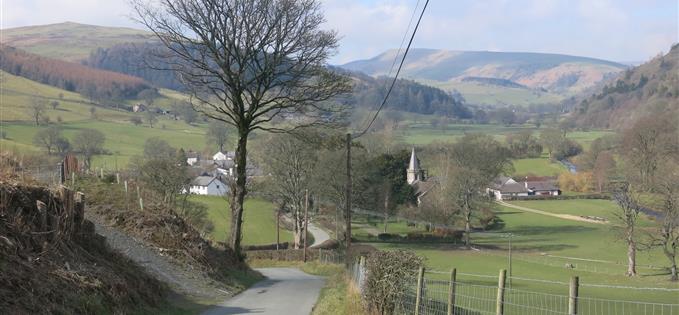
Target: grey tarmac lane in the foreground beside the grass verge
286, 291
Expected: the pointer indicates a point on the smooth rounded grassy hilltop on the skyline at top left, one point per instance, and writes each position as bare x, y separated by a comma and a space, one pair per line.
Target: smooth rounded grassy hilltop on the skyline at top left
70, 41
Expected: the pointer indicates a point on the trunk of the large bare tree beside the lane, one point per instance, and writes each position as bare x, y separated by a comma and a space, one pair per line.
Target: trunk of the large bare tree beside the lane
238, 194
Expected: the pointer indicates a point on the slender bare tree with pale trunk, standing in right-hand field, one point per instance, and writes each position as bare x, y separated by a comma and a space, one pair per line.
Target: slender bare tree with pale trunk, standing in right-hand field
628, 214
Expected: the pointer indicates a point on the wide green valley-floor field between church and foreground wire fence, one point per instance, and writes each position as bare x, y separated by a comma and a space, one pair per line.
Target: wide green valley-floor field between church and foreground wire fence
542, 246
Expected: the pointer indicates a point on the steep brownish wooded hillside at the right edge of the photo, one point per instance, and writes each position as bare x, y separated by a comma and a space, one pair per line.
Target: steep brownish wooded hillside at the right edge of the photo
652, 87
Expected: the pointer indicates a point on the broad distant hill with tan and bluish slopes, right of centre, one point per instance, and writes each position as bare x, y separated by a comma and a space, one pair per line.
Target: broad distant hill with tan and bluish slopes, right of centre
557, 74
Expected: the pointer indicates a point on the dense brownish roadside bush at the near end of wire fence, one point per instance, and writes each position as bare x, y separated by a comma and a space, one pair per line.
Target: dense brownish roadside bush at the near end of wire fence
389, 274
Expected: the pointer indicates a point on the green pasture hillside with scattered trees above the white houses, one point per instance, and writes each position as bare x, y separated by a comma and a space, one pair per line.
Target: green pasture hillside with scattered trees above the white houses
123, 139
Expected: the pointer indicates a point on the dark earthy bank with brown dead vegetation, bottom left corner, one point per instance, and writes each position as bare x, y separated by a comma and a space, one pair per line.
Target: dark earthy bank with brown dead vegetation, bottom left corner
53, 262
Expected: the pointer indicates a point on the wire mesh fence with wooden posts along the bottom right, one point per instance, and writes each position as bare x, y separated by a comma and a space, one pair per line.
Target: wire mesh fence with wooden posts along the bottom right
432, 296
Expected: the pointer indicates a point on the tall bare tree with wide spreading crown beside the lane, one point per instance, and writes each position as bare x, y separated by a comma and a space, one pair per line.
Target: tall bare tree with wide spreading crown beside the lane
245, 62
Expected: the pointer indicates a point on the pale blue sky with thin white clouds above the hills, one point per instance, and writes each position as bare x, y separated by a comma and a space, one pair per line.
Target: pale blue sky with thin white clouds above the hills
617, 30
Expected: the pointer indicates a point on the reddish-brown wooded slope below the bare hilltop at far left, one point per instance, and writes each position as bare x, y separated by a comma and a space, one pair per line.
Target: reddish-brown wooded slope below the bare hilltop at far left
93, 83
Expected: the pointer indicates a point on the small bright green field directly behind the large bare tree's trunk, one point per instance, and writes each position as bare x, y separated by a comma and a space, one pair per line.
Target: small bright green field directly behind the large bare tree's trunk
259, 222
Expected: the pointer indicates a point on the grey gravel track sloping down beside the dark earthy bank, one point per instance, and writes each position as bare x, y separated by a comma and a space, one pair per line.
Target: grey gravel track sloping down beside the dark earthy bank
164, 268
